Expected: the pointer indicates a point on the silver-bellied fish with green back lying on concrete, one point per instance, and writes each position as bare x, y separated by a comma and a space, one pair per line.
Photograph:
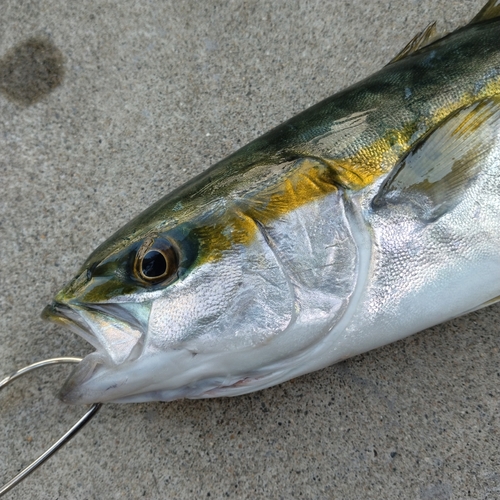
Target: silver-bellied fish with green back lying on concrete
362, 220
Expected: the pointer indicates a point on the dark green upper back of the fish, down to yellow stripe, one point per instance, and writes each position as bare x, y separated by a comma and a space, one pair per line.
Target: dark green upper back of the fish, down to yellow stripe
349, 140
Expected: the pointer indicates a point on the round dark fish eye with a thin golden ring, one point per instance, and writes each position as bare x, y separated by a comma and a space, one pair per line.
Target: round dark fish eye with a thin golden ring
156, 261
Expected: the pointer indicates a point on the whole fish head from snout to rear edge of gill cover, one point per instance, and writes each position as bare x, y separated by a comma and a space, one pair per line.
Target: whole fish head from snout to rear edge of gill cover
206, 295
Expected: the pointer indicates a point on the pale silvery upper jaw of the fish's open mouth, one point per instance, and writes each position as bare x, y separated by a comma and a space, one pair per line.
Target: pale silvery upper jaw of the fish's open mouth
113, 330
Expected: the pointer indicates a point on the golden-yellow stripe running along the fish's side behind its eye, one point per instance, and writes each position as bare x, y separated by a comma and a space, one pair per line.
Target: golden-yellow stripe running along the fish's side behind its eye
315, 178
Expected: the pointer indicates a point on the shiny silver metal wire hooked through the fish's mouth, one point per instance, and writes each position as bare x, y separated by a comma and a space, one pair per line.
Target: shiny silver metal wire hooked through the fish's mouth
63, 439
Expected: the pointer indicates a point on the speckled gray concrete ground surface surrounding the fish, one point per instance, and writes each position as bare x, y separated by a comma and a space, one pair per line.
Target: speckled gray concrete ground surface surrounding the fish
152, 93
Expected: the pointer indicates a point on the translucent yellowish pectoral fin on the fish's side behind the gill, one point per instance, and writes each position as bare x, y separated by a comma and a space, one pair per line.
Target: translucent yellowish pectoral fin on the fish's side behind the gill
433, 176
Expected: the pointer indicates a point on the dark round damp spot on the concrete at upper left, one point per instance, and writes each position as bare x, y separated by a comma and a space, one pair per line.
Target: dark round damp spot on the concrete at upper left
31, 70
